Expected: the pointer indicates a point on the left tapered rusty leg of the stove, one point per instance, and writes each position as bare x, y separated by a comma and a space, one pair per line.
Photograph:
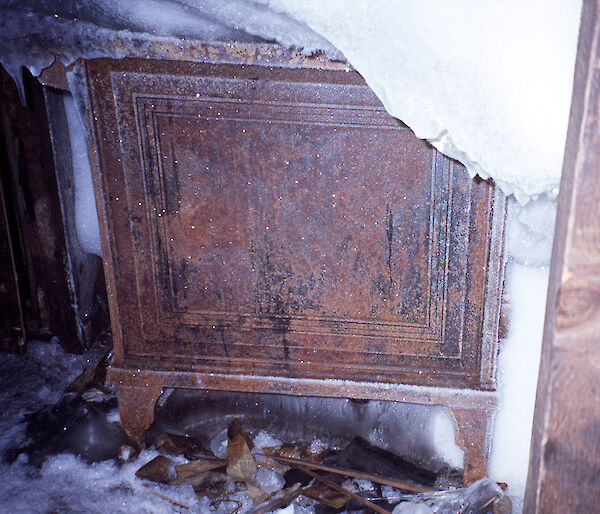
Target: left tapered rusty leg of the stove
136, 408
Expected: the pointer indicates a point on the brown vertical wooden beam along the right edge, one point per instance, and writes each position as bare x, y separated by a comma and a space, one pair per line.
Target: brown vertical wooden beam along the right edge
564, 467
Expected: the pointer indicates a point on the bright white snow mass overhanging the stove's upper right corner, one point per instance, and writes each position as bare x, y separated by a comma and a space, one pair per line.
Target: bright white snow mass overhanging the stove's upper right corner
487, 83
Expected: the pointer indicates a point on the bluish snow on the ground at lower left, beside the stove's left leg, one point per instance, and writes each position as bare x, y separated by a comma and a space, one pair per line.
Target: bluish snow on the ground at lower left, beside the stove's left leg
65, 482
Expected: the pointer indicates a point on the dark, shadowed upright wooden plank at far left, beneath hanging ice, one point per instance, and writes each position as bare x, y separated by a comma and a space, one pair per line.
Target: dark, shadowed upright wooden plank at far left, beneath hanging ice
31, 184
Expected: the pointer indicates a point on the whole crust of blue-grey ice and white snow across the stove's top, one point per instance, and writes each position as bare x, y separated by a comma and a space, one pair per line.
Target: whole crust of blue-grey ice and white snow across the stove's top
488, 84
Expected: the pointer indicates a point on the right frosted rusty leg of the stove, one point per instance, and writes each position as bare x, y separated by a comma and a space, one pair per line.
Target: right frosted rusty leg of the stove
473, 437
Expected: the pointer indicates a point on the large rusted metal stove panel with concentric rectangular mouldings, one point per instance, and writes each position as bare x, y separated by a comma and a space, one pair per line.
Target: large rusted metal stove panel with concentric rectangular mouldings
275, 224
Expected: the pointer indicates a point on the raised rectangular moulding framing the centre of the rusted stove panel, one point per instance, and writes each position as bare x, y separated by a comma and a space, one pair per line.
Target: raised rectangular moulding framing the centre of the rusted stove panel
150, 108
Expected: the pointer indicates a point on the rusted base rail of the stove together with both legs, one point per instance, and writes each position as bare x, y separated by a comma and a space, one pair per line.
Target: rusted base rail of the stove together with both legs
470, 411
